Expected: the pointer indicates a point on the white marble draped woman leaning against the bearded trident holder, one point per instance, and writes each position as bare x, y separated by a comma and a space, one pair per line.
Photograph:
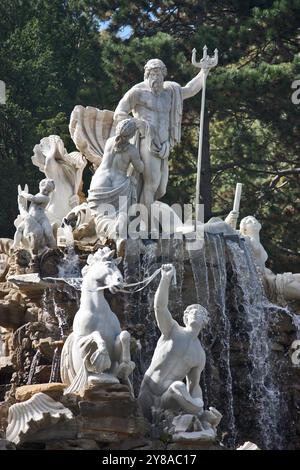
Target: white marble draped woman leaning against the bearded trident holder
111, 183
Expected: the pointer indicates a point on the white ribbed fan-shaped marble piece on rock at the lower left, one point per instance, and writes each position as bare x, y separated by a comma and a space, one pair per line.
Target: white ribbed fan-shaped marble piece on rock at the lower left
33, 415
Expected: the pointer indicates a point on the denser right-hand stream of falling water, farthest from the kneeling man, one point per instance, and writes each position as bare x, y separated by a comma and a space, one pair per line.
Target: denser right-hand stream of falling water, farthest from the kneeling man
250, 301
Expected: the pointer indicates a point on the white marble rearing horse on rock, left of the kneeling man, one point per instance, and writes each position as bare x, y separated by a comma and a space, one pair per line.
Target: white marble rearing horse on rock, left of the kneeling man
97, 351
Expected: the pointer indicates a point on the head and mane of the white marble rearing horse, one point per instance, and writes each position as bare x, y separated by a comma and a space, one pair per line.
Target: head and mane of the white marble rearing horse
102, 270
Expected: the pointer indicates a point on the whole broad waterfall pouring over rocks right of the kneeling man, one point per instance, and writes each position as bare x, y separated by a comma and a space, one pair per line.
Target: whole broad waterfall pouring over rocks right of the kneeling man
240, 374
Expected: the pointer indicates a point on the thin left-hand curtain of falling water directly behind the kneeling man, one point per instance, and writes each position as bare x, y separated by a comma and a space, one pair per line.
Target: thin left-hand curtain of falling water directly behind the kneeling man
210, 276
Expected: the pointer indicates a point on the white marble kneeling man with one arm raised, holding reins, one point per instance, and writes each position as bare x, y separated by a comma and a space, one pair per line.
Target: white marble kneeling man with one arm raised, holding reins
178, 356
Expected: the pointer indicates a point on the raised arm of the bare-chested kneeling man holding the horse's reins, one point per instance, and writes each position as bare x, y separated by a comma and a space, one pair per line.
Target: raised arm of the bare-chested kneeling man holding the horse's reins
163, 316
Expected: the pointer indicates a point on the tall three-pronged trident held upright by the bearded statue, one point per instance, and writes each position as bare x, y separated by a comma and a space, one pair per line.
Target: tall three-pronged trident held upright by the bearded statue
205, 64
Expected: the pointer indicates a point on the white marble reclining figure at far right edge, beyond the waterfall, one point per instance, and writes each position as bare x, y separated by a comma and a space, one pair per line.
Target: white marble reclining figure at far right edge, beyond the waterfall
279, 287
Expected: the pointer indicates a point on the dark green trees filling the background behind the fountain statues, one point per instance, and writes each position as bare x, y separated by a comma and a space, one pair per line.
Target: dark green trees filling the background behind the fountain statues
56, 54
